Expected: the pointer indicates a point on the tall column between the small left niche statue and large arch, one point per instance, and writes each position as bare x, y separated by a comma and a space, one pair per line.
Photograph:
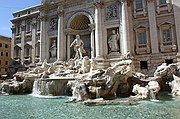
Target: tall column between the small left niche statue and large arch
60, 42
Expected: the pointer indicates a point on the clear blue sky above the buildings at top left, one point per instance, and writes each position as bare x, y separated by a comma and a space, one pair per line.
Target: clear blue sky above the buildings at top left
7, 7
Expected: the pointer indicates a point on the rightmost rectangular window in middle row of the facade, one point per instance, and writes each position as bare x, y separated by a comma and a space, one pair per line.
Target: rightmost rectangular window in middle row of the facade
167, 35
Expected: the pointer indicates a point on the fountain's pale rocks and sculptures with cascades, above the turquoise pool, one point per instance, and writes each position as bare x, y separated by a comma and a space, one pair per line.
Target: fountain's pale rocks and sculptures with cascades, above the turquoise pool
81, 78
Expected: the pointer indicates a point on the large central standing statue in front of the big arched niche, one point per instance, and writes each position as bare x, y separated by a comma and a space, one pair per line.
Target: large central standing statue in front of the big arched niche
78, 47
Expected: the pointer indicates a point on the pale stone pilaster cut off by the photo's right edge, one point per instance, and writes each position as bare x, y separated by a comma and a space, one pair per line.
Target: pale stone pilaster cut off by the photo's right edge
176, 8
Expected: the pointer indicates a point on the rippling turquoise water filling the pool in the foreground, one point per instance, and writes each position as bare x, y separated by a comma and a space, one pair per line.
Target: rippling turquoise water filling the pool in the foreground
28, 107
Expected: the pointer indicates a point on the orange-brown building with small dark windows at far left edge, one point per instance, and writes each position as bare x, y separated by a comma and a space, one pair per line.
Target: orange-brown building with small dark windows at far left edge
5, 54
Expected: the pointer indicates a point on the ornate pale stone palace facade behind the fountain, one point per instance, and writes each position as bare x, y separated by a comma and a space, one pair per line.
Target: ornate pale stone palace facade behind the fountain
148, 29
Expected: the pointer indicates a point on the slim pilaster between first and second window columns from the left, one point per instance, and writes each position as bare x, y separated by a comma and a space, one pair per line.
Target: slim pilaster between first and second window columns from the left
23, 31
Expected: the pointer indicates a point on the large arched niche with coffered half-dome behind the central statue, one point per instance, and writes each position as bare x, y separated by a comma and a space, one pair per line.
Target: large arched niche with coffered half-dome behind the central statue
79, 24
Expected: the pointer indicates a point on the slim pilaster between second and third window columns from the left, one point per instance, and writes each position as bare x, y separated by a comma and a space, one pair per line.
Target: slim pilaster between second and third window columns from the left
33, 53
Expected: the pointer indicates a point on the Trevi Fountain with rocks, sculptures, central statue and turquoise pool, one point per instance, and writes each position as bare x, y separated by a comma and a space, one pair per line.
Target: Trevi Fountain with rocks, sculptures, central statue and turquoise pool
77, 89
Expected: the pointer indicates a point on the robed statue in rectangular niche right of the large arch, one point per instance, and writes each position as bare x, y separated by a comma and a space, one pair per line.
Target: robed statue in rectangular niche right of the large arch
113, 42
